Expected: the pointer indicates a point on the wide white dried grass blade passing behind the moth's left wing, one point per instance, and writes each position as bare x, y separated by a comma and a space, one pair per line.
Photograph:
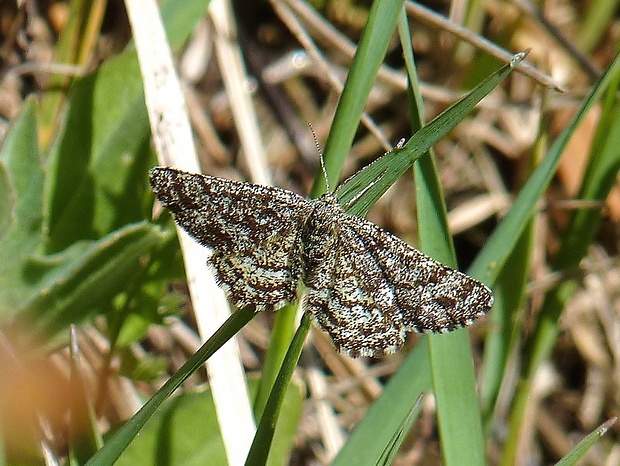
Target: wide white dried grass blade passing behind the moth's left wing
172, 137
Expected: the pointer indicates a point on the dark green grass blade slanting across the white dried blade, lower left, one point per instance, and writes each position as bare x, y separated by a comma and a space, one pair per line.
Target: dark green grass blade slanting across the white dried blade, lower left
112, 449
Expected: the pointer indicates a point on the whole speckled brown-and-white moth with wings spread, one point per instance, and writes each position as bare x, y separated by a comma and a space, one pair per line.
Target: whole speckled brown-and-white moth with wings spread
366, 287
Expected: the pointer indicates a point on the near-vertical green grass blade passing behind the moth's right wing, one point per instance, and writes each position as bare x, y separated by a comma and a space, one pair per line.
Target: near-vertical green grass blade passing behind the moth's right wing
450, 355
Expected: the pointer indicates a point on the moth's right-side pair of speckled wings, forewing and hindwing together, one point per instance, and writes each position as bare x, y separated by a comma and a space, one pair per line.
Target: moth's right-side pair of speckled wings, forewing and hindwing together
374, 288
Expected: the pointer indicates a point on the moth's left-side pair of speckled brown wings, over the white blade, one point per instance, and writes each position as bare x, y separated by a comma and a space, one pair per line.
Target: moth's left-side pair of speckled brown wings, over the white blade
253, 230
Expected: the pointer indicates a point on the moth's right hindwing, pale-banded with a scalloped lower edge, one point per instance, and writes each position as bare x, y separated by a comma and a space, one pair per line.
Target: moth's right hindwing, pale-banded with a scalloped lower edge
348, 293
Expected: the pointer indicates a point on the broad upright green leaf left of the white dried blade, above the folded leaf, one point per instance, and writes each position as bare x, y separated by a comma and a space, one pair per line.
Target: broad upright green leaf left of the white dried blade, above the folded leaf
98, 164
